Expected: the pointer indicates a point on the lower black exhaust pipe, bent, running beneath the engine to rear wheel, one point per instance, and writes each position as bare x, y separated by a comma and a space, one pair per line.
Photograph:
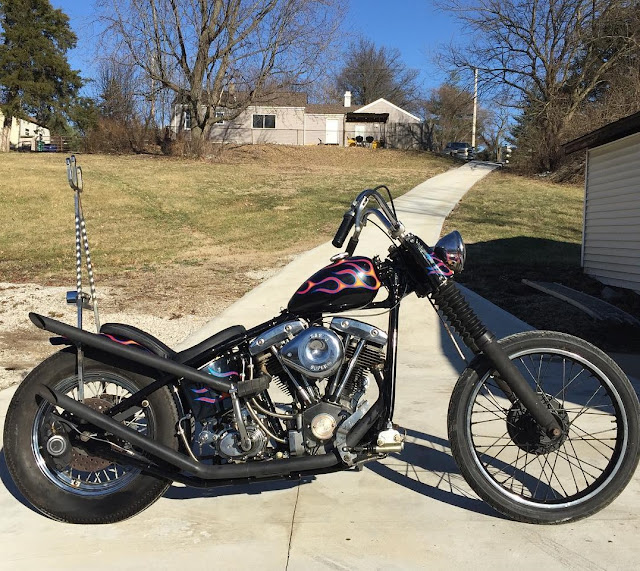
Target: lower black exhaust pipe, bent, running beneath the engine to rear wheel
204, 471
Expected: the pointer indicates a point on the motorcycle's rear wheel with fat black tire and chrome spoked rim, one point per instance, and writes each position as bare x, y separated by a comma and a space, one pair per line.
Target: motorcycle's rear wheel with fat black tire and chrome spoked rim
89, 489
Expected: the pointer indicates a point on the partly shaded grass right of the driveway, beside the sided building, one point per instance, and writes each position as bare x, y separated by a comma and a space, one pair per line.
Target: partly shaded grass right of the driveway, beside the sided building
517, 227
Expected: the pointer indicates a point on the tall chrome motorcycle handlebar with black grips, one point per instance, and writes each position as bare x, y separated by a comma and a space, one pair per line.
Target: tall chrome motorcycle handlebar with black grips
358, 214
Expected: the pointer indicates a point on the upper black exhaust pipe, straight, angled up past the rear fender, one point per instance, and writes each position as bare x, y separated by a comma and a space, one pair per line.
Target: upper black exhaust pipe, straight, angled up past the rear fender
136, 355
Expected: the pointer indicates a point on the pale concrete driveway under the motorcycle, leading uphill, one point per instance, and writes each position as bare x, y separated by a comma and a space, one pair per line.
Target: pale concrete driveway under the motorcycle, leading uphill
411, 511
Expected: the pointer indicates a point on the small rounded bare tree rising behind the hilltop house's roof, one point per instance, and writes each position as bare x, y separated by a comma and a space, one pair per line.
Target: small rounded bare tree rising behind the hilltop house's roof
371, 72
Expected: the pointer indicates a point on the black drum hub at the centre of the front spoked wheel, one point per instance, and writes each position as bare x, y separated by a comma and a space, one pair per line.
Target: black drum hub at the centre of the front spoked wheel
529, 436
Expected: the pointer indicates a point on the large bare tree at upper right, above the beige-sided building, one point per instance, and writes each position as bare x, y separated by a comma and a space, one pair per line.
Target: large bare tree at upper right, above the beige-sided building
544, 54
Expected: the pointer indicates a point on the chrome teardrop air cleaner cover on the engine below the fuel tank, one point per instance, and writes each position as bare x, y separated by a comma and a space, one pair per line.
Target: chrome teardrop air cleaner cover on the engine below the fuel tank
316, 352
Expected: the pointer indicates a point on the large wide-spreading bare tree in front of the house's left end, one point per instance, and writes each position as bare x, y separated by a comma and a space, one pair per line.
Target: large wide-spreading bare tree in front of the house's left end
201, 50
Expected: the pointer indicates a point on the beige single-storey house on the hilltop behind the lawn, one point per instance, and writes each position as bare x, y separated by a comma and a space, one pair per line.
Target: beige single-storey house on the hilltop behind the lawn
287, 118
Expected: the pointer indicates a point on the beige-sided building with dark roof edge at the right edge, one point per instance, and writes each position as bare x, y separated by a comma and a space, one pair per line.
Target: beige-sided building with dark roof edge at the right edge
611, 235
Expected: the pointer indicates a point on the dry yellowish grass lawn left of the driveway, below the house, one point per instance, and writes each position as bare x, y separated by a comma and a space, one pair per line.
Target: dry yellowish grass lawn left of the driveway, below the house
143, 212
